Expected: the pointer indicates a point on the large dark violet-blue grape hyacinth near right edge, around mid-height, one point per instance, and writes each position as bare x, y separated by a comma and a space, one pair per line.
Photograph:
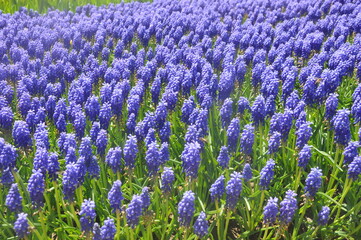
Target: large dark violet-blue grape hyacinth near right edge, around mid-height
341, 126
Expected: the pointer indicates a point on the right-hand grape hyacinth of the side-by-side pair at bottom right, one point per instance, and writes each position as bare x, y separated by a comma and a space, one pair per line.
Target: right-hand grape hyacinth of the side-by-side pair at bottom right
288, 207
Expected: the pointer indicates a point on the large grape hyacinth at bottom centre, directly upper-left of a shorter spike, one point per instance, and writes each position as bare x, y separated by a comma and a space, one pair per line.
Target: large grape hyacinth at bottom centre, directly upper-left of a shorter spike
186, 209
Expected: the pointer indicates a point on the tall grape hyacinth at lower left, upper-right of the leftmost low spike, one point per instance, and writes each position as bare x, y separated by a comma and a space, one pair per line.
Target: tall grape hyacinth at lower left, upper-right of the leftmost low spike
36, 188
